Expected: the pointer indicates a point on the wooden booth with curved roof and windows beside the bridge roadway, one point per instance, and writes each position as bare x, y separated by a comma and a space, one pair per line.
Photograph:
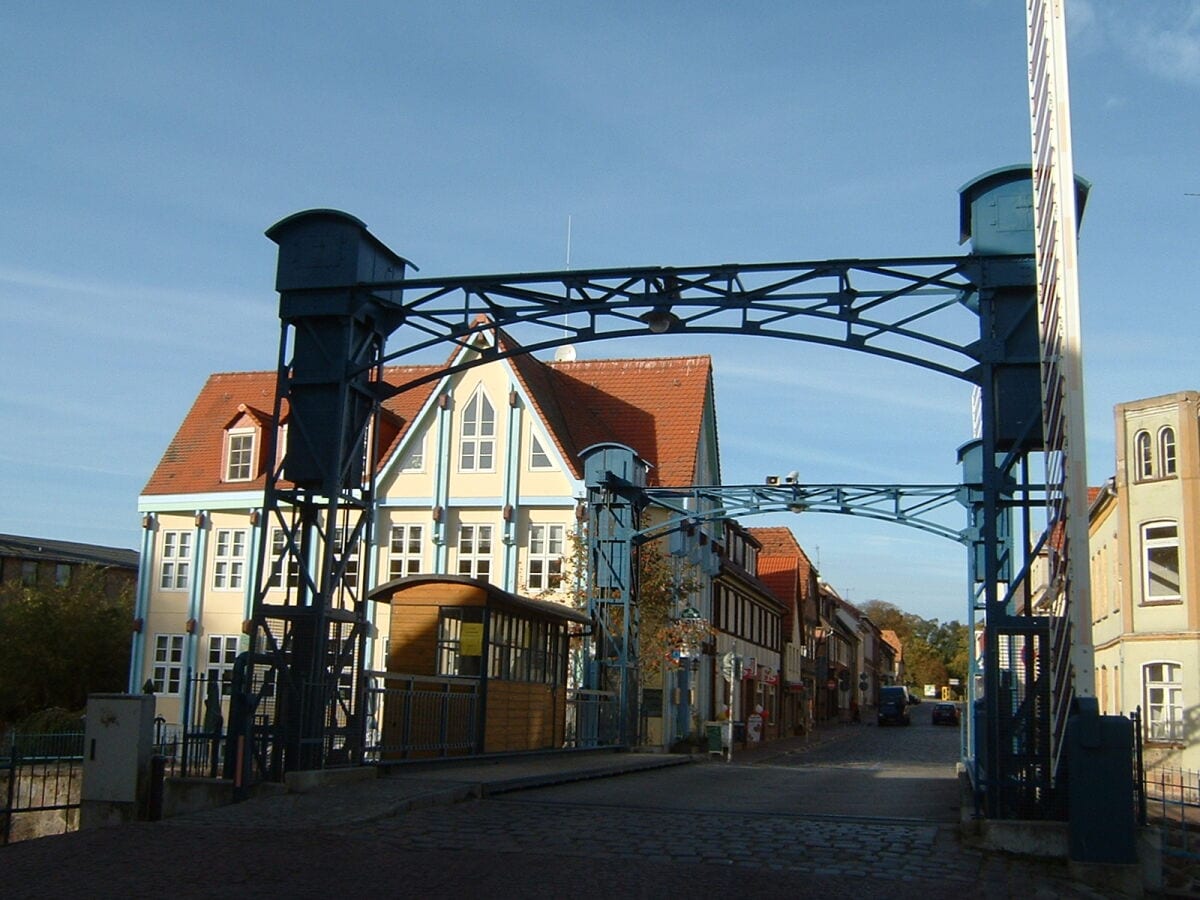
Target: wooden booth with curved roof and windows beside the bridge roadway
472, 669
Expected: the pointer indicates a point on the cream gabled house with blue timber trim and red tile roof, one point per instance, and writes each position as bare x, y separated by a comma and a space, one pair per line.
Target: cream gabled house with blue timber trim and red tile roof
479, 476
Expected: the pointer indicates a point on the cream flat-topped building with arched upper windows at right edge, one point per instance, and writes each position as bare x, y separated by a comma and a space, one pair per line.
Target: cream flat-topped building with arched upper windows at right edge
1145, 572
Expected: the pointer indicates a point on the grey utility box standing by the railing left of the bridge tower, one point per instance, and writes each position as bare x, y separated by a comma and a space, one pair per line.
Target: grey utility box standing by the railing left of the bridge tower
117, 745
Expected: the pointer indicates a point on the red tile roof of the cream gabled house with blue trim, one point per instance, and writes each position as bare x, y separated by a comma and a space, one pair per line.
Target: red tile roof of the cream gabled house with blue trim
656, 406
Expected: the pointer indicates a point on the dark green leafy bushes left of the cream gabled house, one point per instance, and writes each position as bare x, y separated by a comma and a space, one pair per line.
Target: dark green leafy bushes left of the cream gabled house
59, 644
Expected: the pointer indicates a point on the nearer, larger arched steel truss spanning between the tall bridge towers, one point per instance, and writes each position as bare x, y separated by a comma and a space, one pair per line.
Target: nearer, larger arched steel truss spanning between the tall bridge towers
913, 310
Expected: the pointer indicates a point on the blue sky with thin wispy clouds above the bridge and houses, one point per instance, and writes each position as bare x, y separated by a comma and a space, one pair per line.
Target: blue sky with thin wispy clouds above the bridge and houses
147, 147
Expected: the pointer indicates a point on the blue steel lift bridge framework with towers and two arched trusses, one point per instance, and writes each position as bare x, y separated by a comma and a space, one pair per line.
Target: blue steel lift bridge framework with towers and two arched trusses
344, 295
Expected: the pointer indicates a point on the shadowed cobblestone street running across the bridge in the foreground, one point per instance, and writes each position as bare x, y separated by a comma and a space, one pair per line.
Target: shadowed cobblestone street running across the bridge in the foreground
705, 829
